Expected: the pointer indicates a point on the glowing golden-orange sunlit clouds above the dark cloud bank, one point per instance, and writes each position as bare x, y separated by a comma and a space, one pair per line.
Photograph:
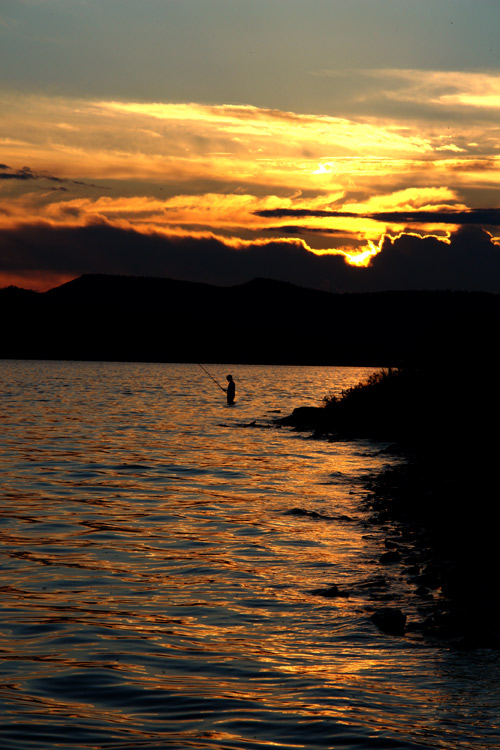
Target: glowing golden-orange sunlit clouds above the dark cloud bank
187, 169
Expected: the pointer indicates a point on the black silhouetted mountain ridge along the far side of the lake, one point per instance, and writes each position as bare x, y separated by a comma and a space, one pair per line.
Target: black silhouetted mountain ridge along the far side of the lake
99, 317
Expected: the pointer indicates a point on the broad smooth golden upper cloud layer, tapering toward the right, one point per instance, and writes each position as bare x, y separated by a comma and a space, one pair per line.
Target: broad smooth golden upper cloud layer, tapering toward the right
164, 142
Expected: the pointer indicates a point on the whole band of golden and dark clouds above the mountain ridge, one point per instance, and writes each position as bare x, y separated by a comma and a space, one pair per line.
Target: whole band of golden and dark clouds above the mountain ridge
207, 192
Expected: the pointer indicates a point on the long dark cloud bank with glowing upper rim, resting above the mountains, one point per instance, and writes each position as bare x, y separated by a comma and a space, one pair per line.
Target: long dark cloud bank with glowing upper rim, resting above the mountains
469, 261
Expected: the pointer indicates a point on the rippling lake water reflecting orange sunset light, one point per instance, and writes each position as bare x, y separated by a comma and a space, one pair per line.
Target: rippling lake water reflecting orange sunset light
156, 590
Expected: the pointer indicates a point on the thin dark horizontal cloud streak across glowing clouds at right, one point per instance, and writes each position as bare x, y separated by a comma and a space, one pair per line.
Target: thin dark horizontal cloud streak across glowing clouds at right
481, 216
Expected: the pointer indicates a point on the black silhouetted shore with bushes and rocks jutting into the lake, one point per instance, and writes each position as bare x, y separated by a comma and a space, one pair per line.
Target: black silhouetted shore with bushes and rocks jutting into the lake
443, 418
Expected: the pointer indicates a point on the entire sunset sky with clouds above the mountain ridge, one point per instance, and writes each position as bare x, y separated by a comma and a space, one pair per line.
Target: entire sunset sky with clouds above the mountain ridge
345, 145
